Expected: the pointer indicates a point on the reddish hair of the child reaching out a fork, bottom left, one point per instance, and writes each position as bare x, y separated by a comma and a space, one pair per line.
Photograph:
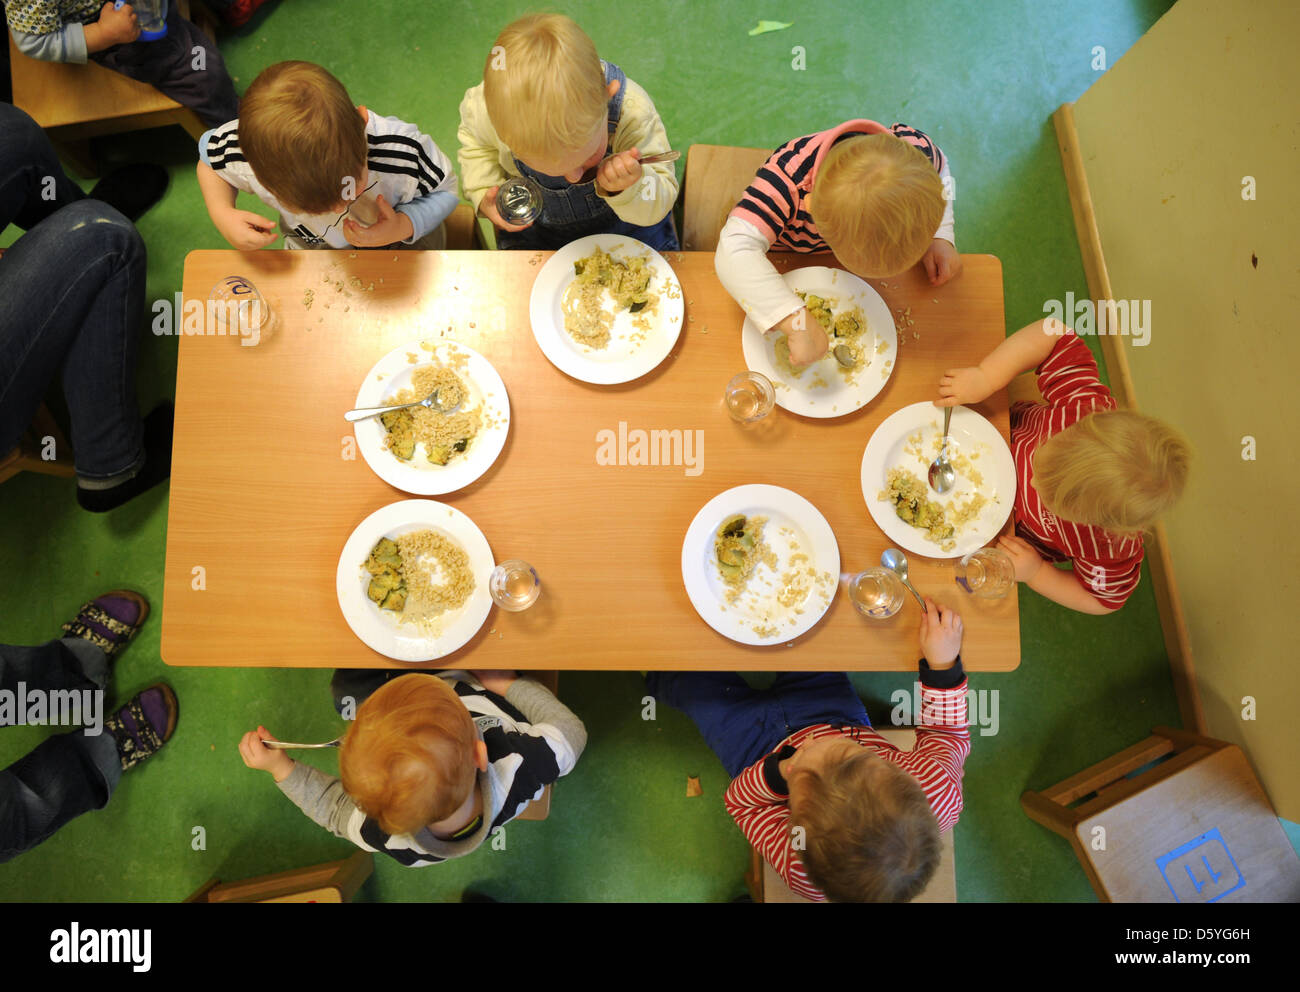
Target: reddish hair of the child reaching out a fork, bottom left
409, 759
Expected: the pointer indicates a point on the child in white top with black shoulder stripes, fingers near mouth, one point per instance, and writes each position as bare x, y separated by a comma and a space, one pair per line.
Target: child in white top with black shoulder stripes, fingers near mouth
340, 175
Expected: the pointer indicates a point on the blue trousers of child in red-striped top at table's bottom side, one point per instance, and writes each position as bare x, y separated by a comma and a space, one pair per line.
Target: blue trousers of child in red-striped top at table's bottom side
743, 725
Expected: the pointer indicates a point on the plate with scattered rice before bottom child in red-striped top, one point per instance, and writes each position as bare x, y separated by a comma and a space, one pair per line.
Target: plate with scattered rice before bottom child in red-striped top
761, 565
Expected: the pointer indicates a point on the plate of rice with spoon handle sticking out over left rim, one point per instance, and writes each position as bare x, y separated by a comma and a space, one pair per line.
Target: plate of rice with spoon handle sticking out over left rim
427, 452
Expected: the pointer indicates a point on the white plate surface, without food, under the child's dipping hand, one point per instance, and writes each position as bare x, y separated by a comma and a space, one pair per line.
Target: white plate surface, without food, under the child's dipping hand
835, 396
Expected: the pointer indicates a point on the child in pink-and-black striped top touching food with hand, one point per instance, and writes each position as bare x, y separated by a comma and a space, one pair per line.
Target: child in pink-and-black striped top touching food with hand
874, 196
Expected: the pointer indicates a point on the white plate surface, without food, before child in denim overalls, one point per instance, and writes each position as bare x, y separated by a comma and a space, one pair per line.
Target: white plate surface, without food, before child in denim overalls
623, 359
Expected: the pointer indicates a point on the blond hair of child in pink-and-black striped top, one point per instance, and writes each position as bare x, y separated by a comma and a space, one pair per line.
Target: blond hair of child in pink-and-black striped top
878, 202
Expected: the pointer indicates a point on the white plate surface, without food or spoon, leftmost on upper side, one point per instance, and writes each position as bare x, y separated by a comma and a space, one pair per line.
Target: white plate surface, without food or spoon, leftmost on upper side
487, 392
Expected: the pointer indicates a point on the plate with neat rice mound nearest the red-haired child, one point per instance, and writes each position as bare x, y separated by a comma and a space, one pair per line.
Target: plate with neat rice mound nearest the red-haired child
413, 581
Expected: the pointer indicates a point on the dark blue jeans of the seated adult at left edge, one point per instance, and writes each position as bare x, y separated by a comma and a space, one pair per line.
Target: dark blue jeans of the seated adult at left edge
72, 300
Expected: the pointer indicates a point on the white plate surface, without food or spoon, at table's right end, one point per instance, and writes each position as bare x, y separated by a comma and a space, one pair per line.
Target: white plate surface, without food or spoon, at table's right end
969, 435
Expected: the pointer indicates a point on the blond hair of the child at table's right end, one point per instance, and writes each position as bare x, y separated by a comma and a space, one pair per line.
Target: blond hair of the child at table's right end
1117, 470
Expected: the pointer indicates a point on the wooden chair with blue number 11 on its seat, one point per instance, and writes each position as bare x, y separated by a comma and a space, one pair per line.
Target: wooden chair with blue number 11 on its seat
1194, 829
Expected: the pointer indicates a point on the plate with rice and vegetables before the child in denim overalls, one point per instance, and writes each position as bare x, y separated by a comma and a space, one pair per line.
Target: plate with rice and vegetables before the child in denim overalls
606, 309
